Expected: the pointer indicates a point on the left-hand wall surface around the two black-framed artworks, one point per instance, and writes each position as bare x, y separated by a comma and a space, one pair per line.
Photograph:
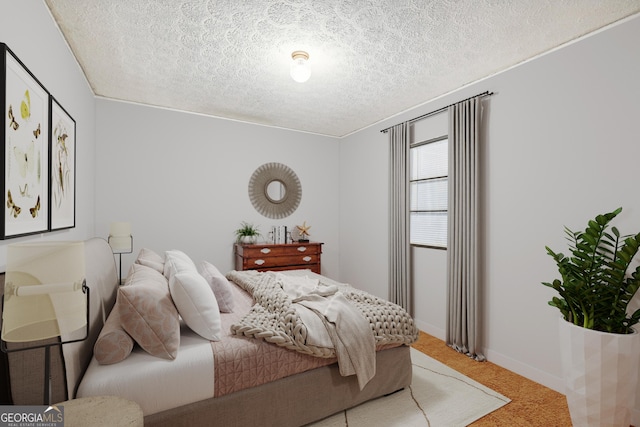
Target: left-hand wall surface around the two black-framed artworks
30, 32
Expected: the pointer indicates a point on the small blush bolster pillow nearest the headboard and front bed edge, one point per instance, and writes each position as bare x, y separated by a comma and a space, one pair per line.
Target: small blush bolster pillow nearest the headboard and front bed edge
113, 344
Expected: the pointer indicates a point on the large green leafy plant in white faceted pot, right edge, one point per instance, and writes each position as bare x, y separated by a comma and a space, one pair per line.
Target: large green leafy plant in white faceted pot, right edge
599, 346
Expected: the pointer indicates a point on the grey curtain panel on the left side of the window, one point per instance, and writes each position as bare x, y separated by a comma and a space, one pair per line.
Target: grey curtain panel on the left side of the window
399, 250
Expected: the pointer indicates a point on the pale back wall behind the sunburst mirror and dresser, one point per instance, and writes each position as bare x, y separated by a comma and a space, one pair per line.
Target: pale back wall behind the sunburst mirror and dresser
182, 180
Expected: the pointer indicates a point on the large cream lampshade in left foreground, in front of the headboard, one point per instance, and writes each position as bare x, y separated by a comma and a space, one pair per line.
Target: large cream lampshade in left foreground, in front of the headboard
43, 291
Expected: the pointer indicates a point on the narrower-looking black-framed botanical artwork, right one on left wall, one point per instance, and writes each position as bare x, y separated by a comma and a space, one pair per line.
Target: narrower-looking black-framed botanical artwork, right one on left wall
62, 197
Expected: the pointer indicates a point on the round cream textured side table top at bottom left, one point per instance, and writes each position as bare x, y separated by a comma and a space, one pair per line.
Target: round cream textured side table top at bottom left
98, 411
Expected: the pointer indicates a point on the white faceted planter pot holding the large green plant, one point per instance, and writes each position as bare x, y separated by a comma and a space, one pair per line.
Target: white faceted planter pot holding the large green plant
600, 375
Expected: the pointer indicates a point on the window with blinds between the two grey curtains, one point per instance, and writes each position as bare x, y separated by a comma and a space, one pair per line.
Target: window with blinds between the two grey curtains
428, 183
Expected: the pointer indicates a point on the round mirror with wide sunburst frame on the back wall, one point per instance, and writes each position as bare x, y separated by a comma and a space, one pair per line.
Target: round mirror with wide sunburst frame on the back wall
274, 190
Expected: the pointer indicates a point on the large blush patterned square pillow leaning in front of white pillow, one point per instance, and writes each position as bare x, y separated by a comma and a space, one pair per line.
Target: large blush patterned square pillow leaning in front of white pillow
148, 314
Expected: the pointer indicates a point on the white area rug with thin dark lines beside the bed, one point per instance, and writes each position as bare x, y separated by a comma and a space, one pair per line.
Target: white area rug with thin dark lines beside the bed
438, 396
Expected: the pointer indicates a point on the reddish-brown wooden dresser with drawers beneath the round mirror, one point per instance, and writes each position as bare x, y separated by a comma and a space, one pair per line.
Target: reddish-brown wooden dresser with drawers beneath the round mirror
289, 256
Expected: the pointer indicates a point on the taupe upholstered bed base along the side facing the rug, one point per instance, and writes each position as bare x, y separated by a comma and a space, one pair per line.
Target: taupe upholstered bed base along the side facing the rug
295, 400
